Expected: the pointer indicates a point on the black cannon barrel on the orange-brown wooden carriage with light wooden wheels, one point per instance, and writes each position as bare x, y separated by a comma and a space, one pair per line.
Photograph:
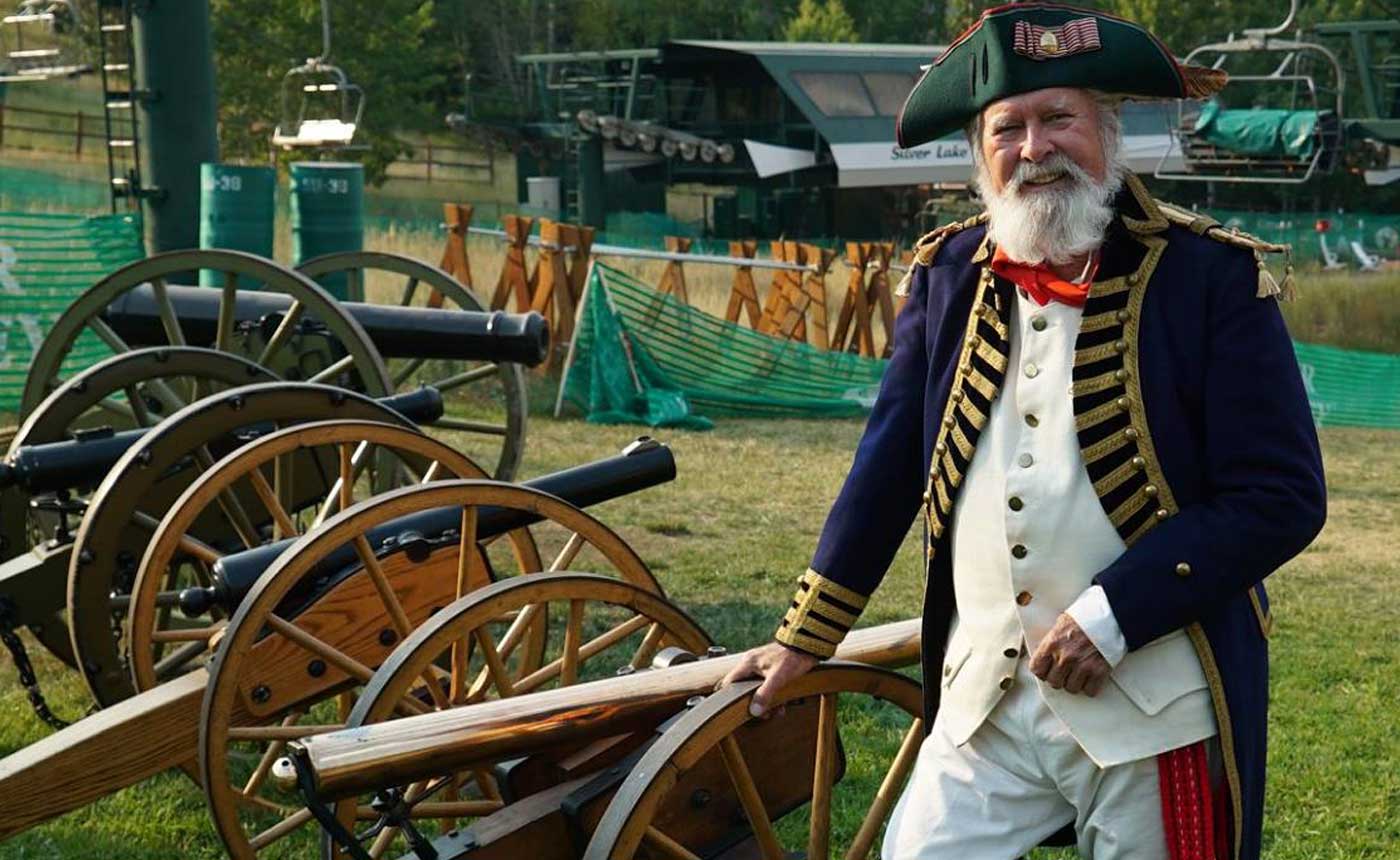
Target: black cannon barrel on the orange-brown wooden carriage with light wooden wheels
643, 464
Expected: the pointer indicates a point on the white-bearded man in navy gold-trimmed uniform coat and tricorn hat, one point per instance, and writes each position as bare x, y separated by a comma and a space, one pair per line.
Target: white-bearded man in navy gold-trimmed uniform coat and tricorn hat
1095, 407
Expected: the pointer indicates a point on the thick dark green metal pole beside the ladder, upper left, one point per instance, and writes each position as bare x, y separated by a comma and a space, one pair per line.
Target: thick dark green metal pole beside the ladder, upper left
177, 120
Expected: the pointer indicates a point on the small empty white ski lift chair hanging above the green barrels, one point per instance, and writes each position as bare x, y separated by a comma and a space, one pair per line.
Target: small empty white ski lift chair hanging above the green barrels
314, 85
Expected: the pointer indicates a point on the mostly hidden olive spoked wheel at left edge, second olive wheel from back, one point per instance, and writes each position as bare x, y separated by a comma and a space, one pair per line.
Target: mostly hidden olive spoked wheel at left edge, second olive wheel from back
124, 393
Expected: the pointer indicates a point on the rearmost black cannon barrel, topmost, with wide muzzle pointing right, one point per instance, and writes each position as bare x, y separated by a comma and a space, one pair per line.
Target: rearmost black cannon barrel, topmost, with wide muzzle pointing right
398, 333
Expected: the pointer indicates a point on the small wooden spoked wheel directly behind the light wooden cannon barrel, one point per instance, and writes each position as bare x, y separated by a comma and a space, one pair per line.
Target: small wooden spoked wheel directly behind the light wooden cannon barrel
597, 627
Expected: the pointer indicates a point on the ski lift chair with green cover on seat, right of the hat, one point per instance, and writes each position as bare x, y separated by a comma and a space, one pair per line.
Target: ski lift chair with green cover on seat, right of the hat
1280, 146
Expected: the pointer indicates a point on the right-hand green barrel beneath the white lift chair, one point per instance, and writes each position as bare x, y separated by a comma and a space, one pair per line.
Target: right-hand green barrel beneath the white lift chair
327, 216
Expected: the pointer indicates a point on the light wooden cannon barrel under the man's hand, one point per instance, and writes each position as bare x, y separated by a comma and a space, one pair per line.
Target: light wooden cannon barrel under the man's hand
346, 763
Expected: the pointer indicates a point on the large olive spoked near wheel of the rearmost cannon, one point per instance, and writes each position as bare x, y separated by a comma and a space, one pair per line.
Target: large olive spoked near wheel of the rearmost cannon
360, 365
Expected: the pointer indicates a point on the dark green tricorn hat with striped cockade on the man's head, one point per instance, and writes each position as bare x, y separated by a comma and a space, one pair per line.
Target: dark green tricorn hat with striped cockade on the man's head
1024, 47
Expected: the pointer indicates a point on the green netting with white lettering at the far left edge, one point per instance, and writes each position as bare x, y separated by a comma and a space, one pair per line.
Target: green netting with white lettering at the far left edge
47, 261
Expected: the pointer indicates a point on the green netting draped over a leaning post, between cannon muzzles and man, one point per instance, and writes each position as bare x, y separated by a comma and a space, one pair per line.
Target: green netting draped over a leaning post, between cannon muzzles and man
645, 358
